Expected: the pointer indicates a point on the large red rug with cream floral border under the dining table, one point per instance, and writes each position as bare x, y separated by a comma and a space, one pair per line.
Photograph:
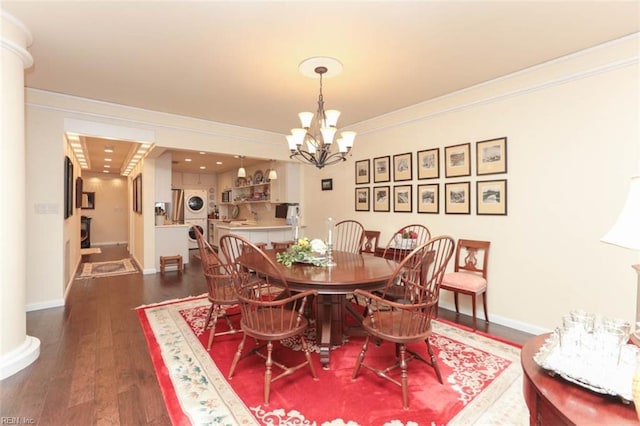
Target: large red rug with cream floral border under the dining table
482, 378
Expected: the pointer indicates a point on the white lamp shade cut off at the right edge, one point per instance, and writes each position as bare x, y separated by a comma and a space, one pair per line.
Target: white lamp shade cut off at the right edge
626, 231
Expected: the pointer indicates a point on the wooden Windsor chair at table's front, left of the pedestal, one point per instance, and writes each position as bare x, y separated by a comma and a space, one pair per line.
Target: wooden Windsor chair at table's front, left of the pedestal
268, 316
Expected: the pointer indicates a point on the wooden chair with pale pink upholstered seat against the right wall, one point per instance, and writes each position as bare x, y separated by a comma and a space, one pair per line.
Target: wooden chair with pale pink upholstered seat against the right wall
469, 275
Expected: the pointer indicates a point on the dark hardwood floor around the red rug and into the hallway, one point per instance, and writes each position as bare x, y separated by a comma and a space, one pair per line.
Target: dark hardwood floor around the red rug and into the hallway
94, 367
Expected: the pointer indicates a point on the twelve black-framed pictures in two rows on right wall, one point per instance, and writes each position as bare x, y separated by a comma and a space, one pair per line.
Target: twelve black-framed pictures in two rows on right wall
490, 195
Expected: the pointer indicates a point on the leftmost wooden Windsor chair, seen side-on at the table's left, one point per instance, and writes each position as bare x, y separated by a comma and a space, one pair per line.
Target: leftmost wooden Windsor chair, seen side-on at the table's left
220, 290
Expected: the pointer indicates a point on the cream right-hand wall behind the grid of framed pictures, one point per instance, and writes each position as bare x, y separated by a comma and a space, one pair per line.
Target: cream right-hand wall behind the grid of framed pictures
573, 143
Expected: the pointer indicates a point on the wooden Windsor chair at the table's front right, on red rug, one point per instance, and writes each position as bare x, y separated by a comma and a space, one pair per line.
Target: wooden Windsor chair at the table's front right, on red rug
409, 320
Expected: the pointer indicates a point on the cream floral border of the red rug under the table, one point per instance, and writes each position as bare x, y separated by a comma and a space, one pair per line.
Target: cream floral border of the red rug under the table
501, 403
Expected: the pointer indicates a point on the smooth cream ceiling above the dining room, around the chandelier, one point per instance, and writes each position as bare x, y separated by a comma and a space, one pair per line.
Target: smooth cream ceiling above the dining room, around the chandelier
236, 62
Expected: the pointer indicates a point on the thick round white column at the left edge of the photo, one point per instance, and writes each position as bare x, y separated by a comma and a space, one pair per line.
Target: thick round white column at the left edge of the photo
17, 350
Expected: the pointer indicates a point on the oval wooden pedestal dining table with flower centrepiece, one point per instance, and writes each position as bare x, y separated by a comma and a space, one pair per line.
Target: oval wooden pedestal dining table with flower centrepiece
352, 271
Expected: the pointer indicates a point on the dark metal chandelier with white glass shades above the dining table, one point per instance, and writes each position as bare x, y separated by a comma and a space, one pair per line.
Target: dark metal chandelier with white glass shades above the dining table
314, 142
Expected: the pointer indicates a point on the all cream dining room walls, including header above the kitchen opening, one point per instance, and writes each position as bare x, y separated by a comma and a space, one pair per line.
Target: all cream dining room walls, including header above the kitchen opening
573, 143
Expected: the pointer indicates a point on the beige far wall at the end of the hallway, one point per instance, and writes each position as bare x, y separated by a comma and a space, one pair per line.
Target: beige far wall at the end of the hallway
110, 217
